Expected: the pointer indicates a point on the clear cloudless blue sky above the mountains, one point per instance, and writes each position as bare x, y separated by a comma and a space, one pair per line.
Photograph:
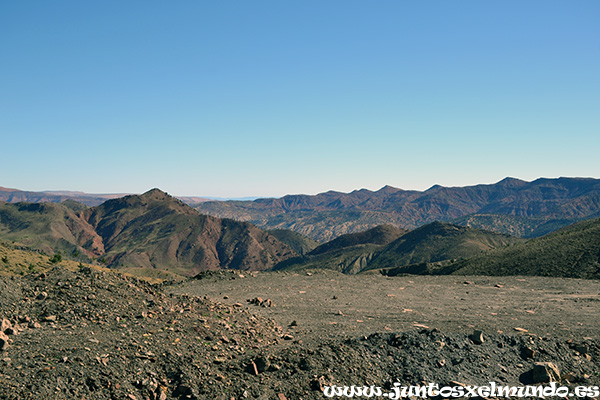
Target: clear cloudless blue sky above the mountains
244, 98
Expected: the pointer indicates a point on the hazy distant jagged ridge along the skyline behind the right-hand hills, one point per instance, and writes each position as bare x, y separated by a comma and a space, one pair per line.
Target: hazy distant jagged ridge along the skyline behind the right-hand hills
511, 206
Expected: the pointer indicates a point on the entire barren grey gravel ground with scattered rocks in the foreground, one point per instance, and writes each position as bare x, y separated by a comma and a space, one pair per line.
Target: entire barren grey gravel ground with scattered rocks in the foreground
94, 334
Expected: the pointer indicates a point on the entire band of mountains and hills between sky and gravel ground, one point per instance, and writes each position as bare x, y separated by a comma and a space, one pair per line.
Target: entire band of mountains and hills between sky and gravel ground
157, 232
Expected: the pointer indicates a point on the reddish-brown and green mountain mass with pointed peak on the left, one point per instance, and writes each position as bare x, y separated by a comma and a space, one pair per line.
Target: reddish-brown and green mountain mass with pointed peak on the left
153, 230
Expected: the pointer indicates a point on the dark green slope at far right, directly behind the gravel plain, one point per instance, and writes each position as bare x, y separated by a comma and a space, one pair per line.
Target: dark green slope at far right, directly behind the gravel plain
572, 252
